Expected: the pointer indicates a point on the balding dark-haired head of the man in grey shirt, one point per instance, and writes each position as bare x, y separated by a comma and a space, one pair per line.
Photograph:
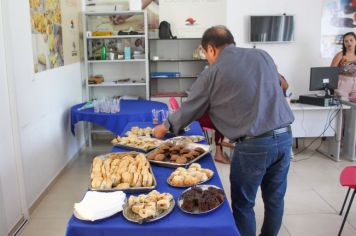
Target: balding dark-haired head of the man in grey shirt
214, 40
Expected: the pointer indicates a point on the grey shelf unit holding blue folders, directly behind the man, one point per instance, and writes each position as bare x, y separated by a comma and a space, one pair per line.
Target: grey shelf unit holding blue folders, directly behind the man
174, 66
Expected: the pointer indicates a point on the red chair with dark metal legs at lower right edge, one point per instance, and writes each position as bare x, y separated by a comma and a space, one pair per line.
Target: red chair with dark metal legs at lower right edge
347, 179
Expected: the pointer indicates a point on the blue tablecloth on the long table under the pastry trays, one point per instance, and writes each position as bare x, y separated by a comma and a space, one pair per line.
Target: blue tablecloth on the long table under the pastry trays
220, 222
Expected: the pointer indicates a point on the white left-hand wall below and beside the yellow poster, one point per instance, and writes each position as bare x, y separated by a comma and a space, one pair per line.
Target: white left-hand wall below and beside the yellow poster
43, 104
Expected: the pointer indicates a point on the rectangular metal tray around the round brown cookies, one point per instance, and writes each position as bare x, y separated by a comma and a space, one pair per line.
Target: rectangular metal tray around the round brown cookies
186, 145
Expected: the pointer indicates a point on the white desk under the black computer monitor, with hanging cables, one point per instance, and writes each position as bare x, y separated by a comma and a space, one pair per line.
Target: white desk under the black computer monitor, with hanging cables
313, 121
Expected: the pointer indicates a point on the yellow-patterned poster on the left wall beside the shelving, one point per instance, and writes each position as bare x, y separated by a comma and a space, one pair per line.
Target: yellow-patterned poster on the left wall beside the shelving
53, 32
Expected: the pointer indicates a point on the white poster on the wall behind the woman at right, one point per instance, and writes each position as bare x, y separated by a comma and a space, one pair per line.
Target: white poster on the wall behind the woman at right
338, 18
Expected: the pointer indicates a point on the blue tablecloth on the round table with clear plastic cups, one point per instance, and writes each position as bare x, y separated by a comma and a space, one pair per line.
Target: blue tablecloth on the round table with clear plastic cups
130, 110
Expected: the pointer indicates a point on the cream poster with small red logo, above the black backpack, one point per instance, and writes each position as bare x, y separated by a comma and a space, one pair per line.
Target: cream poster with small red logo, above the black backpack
190, 18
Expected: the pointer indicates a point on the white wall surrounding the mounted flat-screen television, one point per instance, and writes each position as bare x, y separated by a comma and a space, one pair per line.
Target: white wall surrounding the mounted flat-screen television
293, 59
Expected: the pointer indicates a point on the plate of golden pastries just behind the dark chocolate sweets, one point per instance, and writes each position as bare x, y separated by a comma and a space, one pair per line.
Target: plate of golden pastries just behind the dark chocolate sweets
184, 178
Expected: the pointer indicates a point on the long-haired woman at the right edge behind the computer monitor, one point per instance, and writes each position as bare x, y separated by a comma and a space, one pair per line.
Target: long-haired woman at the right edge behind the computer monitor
346, 61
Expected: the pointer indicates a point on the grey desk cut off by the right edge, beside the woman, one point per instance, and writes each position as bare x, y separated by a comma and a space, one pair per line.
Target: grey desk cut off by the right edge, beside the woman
348, 151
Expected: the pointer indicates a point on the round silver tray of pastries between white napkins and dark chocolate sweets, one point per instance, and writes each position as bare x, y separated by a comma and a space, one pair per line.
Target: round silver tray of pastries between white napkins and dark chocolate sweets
148, 208
